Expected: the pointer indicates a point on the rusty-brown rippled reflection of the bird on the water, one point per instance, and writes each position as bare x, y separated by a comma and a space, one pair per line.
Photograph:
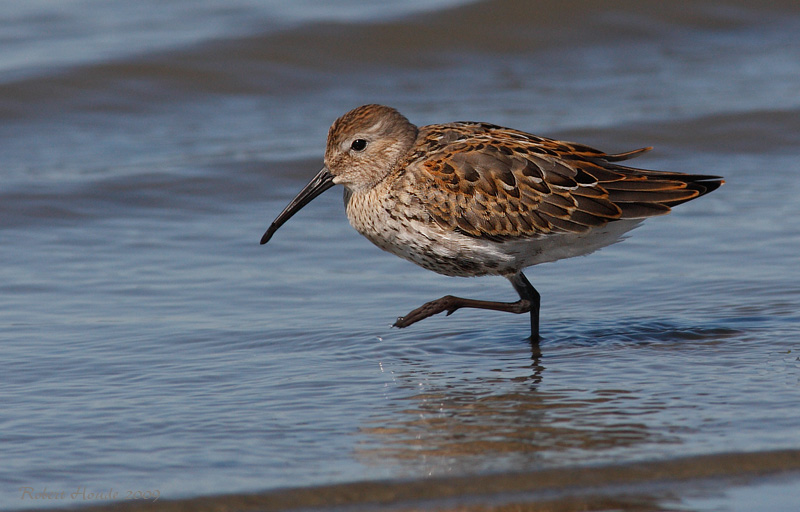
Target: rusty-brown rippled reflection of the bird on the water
498, 423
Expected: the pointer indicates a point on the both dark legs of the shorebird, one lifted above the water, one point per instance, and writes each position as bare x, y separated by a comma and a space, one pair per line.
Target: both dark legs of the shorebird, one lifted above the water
528, 302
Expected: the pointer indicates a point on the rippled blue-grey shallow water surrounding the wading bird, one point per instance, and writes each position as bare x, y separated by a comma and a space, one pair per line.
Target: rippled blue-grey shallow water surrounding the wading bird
150, 343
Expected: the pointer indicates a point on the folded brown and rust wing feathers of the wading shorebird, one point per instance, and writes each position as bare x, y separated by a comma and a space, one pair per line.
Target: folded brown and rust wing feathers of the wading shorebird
495, 183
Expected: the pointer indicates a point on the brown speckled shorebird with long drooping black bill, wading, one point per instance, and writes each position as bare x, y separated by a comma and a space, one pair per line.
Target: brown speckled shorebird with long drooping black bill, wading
473, 199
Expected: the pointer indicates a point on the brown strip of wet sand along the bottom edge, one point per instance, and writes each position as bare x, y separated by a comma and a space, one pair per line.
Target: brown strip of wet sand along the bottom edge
660, 485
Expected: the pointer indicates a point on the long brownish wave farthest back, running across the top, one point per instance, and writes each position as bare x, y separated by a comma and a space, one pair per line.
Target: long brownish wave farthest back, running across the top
306, 57
